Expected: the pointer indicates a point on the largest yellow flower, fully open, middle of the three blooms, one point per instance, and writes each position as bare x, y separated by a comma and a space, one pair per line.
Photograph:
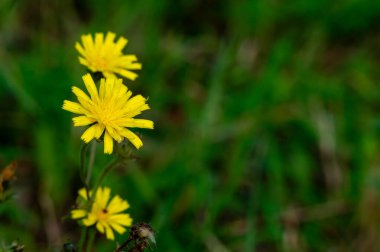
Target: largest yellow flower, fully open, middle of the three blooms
109, 112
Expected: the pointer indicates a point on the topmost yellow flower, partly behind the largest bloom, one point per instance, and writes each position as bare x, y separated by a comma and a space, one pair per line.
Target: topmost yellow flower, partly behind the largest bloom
104, 55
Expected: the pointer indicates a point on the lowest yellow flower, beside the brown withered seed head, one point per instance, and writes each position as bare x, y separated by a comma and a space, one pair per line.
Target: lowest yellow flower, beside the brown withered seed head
106, 214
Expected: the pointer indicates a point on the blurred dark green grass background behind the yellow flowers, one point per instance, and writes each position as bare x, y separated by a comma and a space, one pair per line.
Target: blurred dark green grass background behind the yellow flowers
266, 122
